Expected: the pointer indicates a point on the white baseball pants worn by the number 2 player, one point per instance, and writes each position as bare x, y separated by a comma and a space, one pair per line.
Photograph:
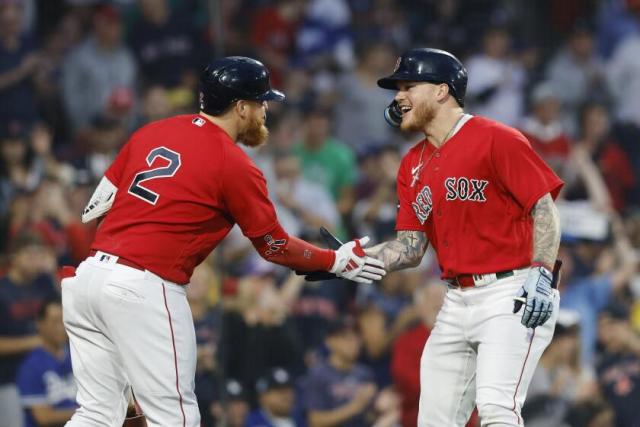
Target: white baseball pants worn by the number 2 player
129, 328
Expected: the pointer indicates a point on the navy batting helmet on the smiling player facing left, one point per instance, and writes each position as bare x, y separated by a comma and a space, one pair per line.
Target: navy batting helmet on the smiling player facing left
429, 65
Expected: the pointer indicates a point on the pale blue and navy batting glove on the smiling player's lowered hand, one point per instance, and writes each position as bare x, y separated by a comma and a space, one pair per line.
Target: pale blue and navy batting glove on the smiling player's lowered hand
537, 296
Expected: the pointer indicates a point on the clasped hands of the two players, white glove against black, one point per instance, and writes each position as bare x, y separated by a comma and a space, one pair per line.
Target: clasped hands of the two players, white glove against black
351, 262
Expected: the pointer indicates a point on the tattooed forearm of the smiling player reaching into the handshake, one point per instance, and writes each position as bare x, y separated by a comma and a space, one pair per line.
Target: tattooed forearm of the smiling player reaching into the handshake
404, 252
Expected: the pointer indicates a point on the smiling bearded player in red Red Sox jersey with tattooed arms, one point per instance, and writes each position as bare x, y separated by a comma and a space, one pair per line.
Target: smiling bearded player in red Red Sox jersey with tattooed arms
476, 191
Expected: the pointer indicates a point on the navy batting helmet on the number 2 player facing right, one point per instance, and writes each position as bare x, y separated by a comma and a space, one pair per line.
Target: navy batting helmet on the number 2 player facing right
230, 79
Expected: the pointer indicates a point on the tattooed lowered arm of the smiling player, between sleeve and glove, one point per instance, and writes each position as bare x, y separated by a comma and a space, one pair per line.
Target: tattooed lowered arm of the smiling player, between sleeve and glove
546, 231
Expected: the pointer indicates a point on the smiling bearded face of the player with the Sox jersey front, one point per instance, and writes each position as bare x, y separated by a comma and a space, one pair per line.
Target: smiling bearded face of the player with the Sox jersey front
419, 103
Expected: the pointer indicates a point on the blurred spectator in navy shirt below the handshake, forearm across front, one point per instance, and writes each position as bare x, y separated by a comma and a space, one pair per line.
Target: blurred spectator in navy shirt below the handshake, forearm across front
339, 391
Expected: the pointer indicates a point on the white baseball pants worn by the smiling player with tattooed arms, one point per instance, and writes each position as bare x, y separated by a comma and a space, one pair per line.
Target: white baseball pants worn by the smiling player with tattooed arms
479, 354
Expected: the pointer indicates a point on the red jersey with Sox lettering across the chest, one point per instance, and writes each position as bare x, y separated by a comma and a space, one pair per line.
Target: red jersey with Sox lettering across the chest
473, 197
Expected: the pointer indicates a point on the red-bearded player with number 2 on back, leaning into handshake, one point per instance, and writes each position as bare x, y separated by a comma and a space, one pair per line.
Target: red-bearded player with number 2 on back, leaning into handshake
171, 195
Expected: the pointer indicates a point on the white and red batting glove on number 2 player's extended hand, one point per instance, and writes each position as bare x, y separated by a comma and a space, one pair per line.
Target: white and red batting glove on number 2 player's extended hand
353, 264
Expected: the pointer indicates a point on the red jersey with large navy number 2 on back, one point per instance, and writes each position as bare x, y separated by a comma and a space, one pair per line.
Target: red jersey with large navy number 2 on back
182, 185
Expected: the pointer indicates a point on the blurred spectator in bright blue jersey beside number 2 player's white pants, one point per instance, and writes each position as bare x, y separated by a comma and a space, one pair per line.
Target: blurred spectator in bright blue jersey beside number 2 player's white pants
45, 378
